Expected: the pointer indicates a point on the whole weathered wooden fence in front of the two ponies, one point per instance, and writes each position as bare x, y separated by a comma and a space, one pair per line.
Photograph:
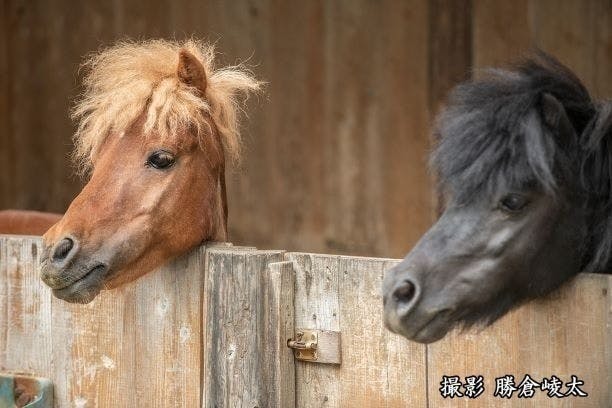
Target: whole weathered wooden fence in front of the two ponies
211, 330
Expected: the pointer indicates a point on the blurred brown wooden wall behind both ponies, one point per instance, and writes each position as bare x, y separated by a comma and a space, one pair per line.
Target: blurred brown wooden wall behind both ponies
336, 150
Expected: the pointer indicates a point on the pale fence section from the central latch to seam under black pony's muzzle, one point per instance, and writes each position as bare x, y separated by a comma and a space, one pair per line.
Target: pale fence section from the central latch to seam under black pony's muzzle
378, 369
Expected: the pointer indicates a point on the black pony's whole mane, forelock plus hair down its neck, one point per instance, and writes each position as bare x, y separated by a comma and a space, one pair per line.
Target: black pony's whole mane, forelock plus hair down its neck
491, 133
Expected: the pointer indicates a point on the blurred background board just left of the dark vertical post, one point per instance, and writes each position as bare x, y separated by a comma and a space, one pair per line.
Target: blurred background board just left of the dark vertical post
376, 124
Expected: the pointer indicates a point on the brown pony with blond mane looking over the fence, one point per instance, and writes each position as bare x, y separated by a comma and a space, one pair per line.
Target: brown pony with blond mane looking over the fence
155, 123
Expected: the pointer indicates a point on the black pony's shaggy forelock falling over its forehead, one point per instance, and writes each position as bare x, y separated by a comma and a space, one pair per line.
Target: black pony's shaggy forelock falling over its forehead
491, 131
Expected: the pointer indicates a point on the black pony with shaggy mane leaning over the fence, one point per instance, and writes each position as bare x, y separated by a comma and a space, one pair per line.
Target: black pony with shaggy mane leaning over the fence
525, 161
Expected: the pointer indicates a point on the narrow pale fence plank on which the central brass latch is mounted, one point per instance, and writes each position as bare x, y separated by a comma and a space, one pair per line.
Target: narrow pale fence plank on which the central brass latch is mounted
316, 307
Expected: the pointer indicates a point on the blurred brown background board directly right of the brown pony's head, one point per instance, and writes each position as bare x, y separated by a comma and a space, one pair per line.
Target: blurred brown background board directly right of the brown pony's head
283, 135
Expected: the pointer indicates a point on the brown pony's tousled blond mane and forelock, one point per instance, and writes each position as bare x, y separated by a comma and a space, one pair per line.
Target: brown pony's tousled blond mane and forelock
134, 78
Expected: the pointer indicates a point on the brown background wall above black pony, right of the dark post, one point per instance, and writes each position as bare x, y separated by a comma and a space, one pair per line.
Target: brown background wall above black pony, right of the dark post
576, 32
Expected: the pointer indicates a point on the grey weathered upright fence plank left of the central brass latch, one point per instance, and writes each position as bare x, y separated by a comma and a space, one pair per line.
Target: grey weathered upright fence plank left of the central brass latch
241, 316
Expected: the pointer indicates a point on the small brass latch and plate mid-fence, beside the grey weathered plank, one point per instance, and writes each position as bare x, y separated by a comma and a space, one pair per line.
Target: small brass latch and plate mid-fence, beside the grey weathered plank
317, 346
